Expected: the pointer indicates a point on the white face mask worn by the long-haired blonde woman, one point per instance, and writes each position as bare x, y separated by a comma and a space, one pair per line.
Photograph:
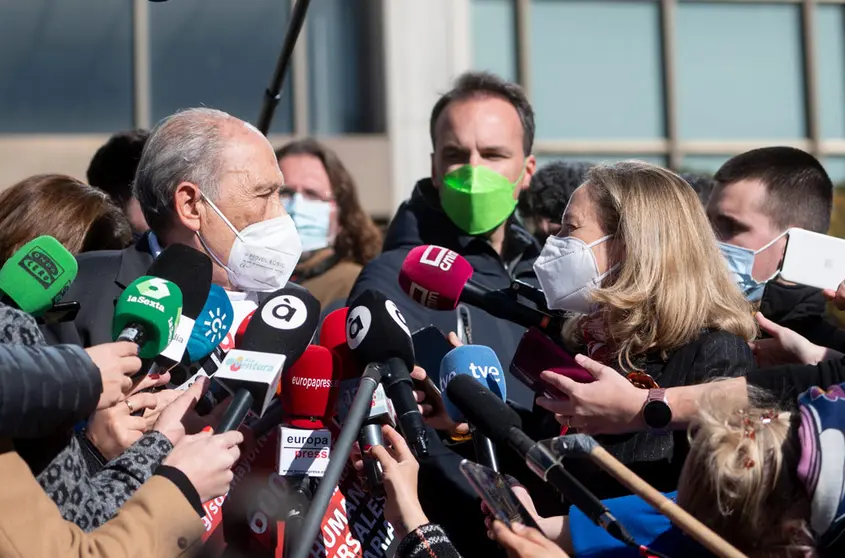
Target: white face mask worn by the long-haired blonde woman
568, 273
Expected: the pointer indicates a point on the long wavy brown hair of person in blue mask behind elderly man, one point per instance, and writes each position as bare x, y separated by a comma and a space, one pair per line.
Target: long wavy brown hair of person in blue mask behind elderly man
358, 238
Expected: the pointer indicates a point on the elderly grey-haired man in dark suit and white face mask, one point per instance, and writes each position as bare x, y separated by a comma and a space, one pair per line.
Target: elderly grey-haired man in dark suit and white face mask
208, 180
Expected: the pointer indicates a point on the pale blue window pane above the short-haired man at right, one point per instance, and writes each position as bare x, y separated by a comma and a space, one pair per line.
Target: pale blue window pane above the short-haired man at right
739, 71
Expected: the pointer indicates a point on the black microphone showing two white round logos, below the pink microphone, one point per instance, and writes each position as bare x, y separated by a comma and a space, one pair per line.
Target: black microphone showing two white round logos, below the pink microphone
376, 332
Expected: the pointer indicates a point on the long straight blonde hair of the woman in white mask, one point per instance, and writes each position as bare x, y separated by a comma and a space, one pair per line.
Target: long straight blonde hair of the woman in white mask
673, 281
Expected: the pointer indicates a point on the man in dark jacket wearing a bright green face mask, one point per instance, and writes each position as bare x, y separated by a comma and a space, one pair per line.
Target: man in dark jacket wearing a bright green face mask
482, 133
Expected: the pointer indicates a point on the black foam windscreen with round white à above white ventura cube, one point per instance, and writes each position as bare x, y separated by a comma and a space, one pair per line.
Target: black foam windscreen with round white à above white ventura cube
283, 324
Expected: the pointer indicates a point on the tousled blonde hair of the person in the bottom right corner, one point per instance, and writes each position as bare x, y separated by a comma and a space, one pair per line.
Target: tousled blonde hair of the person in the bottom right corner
740, 480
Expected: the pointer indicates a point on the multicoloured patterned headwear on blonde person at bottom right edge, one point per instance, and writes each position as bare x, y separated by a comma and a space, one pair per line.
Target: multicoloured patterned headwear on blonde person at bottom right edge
822, 464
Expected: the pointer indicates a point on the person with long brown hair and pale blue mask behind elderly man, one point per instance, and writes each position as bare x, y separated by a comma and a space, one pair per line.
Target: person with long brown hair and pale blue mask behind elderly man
338, 238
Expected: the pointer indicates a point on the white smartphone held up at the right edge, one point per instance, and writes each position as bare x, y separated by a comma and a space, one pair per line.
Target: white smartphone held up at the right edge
813, 259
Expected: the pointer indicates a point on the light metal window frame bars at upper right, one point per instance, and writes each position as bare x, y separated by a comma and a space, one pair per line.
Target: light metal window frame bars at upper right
671, 146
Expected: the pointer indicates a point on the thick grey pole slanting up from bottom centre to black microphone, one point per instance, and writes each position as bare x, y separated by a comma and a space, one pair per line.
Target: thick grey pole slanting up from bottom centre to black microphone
358, 412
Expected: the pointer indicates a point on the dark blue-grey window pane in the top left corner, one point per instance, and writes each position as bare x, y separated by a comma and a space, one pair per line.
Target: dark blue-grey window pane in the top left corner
66, 67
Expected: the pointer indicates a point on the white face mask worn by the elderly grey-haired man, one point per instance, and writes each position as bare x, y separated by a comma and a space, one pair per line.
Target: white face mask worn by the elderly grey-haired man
263, 255
